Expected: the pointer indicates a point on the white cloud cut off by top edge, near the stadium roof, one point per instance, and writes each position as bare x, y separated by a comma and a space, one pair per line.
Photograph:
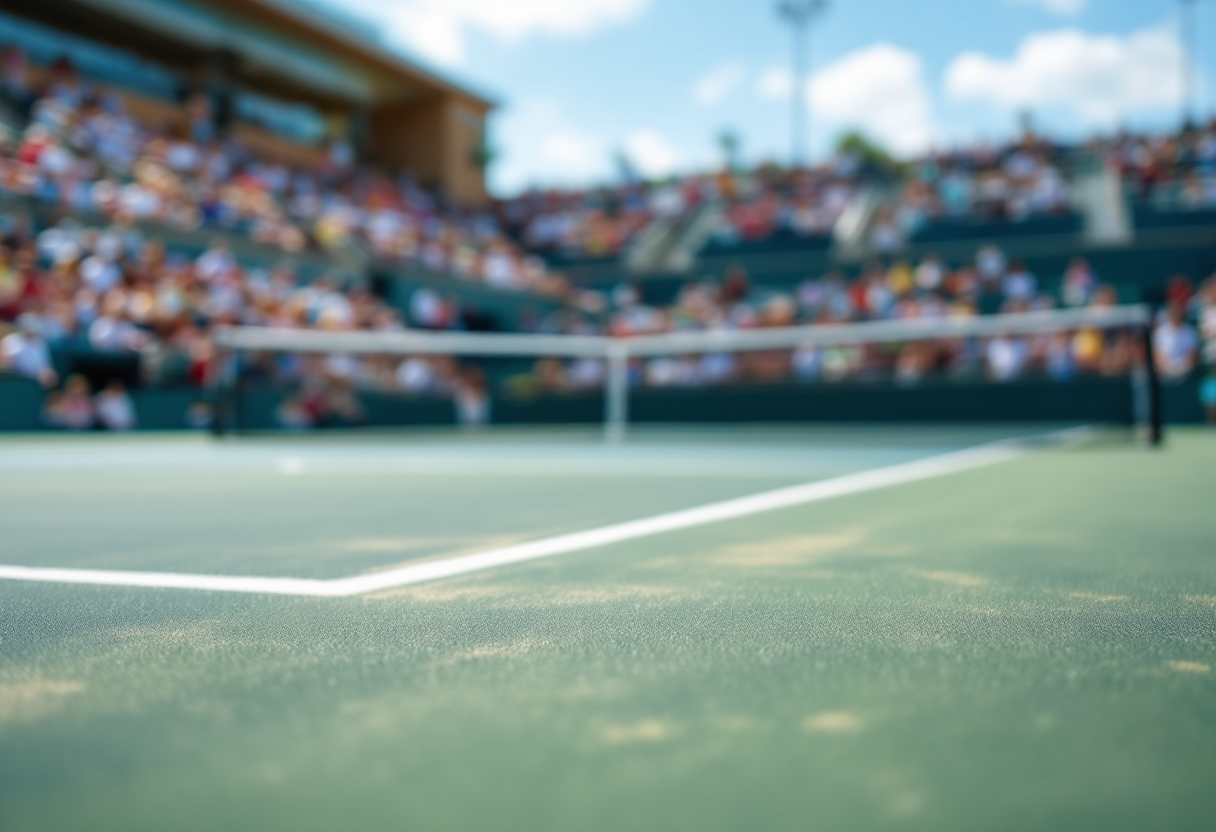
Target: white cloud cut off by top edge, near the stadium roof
437, 29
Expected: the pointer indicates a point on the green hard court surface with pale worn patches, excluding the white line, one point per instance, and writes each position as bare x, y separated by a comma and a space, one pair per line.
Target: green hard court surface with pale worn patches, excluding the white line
1024, 645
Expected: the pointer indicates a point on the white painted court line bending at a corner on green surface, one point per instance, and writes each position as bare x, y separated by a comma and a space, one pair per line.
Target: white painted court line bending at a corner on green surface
717, 513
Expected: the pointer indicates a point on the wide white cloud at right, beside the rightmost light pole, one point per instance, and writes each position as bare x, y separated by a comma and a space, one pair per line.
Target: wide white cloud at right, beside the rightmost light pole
1099, 80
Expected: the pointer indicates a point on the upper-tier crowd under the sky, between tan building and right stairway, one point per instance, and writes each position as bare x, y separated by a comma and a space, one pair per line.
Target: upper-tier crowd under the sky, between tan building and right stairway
1017, 182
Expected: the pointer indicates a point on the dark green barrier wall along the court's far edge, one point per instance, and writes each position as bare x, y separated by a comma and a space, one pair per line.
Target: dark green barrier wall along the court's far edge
1090, 401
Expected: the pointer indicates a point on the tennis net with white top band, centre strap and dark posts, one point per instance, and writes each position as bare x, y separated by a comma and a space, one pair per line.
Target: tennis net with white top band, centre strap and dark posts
1090, 364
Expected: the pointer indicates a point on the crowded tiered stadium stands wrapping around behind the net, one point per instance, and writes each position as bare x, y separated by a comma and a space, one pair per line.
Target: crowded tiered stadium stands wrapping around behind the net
143, 207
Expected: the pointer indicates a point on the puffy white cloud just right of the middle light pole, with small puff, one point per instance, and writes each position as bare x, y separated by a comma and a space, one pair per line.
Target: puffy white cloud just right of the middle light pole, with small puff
880, 91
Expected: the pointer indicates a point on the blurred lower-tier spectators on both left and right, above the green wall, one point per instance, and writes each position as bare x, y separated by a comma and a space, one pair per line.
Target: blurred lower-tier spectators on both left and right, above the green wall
112, 291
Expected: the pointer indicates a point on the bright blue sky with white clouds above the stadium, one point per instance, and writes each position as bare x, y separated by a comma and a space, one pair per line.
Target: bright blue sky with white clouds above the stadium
583, 81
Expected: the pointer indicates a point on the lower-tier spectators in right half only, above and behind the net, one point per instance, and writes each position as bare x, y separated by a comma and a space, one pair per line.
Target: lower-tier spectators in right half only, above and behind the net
903, 291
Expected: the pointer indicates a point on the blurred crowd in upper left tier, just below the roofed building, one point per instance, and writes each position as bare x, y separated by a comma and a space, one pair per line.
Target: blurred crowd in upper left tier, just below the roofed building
83, 153
